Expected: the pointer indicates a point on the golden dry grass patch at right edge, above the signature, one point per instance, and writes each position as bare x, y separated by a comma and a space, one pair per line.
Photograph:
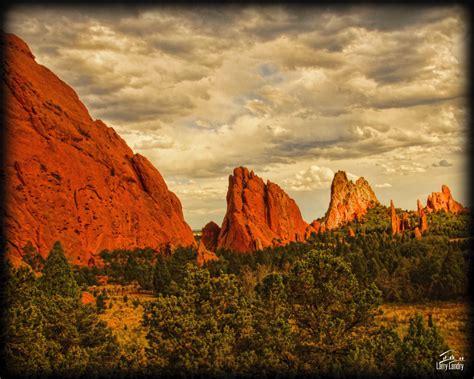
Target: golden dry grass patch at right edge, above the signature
452, 319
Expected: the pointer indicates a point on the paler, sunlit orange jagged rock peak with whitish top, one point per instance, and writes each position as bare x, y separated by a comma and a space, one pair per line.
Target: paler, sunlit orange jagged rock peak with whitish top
349, 200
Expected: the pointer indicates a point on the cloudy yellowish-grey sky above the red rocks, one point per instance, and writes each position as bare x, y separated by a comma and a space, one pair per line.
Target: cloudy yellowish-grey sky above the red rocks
293, 93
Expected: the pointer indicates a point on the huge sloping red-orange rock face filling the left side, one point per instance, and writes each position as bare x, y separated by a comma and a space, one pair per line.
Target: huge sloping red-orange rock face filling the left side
72, 178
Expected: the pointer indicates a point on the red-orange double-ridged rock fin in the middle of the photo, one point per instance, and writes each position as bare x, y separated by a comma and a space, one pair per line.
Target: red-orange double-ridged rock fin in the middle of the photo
258, 215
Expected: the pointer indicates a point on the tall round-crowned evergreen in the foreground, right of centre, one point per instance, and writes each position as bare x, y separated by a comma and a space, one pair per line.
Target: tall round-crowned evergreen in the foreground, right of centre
330, 309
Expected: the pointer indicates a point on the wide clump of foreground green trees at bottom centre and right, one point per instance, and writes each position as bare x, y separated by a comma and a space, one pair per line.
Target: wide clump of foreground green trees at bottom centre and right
316, 317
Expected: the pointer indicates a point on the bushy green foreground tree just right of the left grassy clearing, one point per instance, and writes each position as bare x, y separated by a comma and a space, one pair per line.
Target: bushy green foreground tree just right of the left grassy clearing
203, 329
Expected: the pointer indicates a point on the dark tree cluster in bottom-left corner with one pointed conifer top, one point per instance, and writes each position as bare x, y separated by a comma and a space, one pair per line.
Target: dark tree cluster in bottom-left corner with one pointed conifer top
48, 330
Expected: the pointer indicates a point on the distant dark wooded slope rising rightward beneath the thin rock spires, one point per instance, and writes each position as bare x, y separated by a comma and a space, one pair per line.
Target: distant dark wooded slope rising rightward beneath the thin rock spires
404, 268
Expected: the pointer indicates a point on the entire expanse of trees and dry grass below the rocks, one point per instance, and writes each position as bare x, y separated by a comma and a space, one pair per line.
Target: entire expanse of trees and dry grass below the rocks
331, 305
